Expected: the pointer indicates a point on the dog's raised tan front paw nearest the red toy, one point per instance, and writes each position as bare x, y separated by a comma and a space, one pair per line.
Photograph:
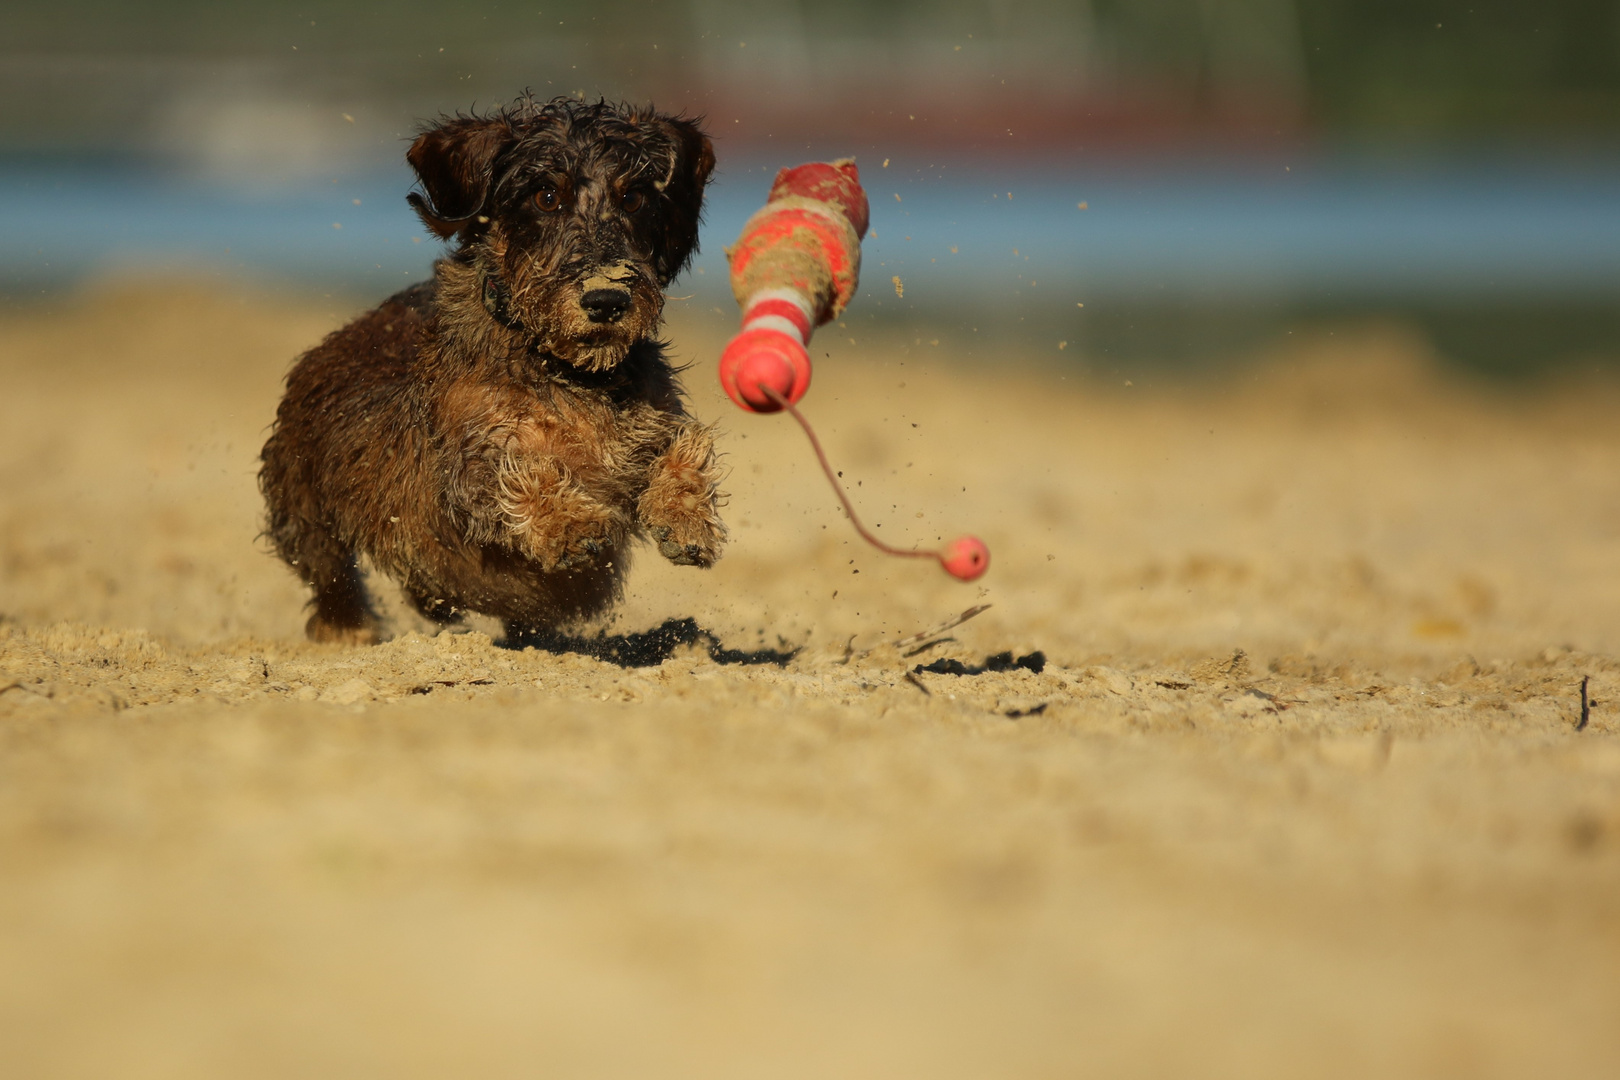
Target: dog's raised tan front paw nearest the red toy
681, 504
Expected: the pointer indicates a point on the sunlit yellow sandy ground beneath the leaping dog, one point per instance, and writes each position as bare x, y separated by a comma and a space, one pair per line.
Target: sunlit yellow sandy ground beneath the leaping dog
1378, 841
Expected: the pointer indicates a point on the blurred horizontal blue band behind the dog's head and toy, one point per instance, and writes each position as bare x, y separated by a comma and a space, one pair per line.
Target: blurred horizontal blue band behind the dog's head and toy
1177, 229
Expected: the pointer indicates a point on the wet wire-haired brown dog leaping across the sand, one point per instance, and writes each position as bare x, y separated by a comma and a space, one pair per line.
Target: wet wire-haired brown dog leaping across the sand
497, 438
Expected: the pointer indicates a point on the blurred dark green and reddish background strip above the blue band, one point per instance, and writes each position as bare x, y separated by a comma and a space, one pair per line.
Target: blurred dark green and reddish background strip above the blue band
95, 77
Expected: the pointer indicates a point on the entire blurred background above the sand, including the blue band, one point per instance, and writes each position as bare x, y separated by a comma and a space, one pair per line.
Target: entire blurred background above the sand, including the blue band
1127, 185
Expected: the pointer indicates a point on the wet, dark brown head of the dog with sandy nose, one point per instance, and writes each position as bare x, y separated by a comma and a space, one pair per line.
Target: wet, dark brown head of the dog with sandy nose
576, 216
